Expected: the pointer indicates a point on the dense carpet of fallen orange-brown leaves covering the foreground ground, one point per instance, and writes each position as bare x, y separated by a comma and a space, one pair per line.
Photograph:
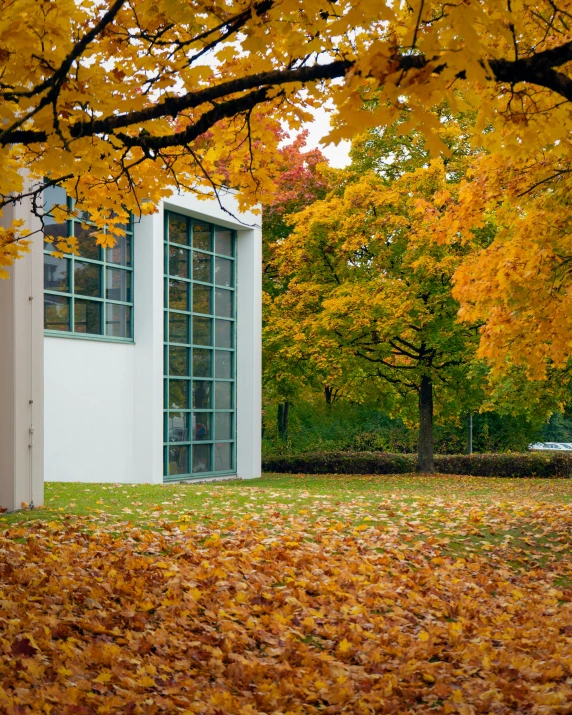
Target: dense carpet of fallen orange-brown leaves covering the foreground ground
301, 613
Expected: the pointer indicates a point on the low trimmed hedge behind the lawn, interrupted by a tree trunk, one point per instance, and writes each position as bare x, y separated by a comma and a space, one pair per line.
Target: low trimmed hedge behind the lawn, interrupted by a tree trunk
532, 464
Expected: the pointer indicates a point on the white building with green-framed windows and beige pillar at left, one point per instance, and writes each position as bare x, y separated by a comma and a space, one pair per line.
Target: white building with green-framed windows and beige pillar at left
145, 364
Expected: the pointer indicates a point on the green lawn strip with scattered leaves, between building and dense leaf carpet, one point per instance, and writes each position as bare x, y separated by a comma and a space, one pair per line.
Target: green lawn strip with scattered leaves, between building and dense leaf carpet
528, 517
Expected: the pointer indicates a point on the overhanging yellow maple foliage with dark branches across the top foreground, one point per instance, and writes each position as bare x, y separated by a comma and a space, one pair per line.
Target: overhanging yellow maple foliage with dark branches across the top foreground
118, 101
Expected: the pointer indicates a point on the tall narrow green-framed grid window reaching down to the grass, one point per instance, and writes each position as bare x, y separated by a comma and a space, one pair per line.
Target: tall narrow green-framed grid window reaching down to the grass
200, 321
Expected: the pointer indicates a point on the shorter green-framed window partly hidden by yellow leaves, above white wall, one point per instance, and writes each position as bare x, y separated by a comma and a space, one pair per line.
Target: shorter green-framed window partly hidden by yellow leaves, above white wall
90, 294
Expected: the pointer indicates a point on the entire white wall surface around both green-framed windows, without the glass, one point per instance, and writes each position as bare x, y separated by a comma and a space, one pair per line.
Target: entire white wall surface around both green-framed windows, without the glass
104, 401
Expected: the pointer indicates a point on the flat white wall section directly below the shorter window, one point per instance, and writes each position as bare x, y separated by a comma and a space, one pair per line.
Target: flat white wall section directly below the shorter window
89, 411
